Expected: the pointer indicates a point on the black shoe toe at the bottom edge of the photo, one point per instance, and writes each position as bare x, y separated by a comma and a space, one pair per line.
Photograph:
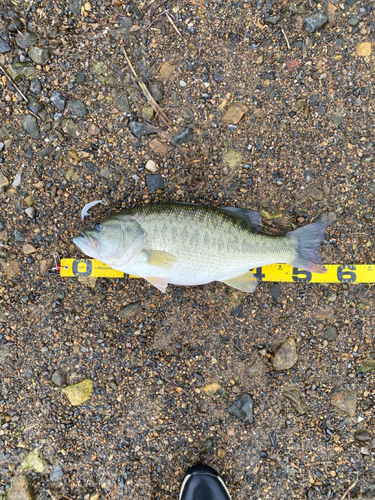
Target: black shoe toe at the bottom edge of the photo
203, 483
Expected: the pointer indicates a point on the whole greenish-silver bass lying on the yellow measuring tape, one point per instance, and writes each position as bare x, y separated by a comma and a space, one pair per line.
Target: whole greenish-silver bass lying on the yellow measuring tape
187, 244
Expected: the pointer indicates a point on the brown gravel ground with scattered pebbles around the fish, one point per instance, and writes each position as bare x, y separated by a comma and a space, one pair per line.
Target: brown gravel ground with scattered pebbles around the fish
270, 106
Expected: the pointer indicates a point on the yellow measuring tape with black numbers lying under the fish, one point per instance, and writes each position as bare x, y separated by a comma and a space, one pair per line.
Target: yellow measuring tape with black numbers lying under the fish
336, 273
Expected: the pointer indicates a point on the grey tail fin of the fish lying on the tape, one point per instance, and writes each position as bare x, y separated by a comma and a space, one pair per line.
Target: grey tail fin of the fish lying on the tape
306, 243
